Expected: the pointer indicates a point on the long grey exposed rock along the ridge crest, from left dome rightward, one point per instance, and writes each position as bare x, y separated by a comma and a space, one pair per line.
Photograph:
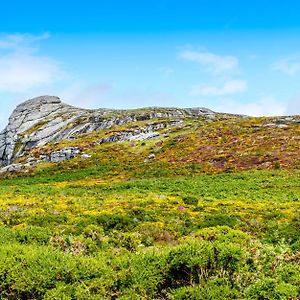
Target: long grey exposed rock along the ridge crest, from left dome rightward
45, 119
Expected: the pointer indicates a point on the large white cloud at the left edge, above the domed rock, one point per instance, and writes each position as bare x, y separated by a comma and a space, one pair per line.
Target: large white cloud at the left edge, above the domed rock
22, 67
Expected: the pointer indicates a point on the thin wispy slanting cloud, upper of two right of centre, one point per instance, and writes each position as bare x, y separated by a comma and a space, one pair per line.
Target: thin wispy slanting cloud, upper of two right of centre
214, 63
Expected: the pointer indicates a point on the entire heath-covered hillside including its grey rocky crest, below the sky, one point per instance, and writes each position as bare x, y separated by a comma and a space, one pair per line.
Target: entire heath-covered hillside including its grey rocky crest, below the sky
153, 203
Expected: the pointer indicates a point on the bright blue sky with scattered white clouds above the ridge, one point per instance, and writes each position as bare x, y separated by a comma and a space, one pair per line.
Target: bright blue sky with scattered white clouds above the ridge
229, 56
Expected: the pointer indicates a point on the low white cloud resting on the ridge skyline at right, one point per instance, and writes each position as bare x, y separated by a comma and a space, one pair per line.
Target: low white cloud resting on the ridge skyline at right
266, 106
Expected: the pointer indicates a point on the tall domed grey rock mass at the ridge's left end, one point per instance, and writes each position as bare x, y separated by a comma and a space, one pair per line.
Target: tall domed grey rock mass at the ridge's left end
34, 123
